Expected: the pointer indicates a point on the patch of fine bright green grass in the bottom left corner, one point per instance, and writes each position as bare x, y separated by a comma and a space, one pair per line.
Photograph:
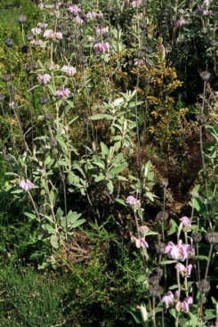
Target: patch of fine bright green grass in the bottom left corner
29, 298
